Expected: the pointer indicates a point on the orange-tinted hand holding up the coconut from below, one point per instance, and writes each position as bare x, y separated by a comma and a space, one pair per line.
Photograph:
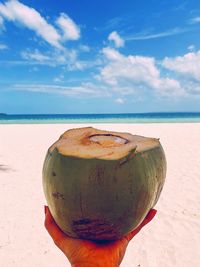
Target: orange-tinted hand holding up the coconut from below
87, 253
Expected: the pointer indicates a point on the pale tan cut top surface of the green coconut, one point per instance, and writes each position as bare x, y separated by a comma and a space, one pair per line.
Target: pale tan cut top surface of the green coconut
88, 142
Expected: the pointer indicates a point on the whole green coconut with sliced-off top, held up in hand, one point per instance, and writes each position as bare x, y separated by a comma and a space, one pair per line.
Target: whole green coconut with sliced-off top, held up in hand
100, 185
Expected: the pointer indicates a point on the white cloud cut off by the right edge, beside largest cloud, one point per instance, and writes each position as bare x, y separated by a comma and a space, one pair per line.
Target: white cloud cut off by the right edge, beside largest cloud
187, 65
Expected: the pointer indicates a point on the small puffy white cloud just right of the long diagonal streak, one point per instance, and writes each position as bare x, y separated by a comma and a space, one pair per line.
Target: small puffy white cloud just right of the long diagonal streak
70, 30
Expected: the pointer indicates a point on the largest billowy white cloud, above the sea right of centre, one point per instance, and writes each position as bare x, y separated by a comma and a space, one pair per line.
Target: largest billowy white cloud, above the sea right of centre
136, 72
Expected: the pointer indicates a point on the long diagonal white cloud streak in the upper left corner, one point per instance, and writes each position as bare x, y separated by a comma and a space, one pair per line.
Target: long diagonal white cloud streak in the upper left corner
15, 11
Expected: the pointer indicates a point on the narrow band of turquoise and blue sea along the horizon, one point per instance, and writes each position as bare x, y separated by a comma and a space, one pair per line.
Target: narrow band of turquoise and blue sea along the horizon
159, 117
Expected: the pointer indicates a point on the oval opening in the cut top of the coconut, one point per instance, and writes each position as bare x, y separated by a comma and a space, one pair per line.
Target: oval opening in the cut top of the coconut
107, 140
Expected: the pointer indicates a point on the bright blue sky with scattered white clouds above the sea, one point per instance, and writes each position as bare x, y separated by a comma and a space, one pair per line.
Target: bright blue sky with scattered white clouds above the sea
86, 56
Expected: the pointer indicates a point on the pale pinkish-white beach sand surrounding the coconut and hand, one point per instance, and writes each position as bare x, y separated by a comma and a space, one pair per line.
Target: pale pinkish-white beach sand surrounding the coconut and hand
171, 239
